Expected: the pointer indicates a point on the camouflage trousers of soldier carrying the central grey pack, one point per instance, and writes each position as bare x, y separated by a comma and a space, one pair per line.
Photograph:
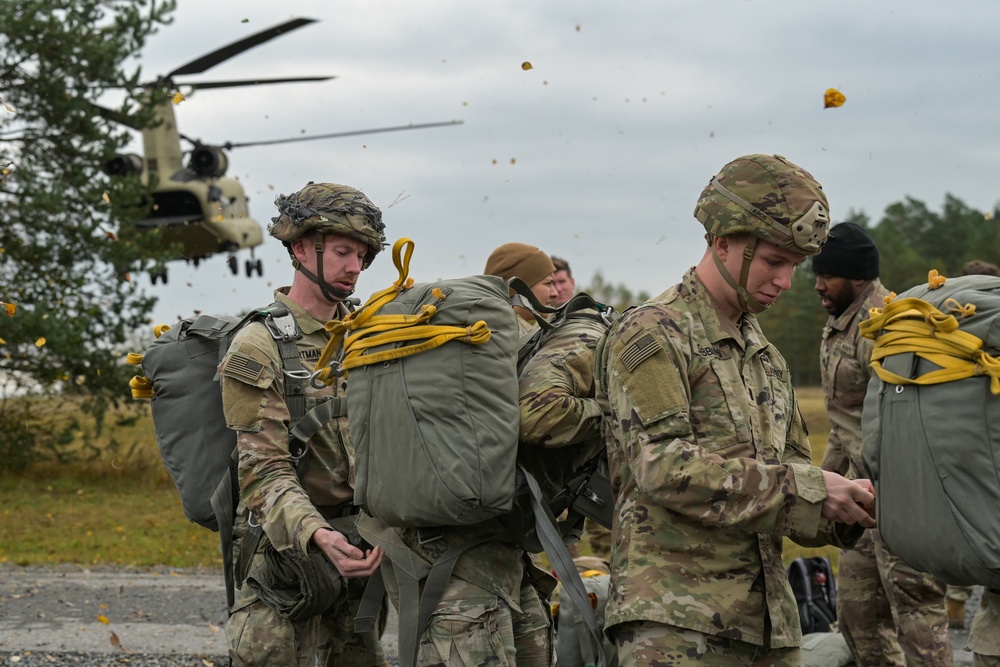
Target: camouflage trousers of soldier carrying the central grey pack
472, 626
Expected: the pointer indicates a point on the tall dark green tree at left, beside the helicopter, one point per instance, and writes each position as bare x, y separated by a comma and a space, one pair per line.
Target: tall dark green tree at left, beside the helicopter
66, 244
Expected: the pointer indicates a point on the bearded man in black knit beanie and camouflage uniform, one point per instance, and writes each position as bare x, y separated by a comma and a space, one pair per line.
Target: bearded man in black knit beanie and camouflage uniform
886, 610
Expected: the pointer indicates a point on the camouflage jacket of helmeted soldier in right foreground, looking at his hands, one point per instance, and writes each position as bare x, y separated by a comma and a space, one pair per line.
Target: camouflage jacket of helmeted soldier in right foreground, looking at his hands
711, 468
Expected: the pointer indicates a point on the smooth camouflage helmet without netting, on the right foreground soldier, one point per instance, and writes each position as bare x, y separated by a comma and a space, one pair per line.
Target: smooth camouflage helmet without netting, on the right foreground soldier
770, 197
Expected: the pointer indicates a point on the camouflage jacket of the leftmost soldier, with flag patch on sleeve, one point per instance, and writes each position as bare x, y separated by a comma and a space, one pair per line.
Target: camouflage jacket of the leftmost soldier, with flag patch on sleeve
253, 401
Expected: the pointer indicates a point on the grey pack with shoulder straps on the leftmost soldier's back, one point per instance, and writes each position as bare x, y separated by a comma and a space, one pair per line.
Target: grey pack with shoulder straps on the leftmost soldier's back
196, 446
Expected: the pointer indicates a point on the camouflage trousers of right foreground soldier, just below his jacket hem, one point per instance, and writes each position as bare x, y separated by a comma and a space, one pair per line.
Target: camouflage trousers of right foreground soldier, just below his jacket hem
648, 644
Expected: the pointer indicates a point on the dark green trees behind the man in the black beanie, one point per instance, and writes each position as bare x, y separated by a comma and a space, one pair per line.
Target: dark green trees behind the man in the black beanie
912, 240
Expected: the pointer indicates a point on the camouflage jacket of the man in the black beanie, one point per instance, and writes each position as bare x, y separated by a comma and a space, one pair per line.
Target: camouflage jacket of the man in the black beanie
844, 363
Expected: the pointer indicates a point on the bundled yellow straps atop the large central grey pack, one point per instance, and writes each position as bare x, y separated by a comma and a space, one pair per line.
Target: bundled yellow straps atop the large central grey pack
365, 329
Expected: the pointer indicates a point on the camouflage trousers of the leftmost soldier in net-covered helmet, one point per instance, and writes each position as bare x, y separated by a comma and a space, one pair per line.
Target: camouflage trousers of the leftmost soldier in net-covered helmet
259, 636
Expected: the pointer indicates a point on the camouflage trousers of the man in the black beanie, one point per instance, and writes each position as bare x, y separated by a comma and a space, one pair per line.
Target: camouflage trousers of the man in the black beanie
889, 613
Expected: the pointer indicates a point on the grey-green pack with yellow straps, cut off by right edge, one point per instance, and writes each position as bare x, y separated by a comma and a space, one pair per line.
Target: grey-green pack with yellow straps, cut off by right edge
931, 427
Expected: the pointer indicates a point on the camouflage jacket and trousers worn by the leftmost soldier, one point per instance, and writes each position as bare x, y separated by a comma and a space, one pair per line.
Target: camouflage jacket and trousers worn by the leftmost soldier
288, 510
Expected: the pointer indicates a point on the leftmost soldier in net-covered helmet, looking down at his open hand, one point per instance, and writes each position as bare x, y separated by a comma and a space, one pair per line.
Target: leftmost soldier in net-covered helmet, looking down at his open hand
332, 233
